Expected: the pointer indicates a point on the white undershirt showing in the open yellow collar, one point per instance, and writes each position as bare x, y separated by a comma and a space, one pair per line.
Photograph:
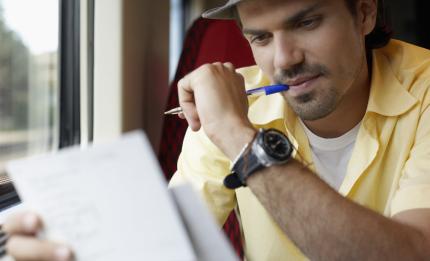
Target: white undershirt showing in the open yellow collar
331, 156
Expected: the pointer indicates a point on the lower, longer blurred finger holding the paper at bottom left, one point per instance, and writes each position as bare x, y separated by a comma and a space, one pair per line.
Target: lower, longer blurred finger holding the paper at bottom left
27, 248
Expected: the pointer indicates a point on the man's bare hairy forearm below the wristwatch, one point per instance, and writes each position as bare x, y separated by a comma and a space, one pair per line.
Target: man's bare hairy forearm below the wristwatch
325, 225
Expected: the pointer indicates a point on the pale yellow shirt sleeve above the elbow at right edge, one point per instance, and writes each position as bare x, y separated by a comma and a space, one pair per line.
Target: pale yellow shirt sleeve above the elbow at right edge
414, 185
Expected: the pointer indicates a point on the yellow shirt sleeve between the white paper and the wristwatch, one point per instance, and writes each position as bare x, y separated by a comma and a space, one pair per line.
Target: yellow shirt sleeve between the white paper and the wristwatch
204, 166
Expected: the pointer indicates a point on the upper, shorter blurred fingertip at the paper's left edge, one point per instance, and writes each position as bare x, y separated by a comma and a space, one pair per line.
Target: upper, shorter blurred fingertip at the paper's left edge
23, 223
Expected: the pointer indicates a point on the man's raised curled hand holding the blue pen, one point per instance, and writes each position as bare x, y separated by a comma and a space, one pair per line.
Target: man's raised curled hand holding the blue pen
213, 97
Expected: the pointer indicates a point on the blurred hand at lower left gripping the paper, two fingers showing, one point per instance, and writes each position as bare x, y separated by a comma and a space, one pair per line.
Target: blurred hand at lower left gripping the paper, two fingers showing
23, 244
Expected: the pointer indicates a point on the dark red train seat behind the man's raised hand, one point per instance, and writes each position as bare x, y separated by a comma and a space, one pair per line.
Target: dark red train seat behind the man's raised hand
207, 41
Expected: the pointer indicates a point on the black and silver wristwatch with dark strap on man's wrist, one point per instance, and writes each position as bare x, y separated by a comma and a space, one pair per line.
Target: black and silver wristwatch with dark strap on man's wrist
269, 147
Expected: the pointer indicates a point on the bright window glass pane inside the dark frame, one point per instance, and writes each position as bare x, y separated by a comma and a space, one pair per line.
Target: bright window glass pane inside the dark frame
29, 33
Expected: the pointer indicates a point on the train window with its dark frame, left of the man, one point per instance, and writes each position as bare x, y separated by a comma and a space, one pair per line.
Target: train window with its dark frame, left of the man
39, 81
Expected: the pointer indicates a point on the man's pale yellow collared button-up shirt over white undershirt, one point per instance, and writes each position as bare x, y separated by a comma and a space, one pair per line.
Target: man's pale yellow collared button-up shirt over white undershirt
389, 170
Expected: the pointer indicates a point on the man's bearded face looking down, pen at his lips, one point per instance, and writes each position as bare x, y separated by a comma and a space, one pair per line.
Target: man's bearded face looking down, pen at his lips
315, 46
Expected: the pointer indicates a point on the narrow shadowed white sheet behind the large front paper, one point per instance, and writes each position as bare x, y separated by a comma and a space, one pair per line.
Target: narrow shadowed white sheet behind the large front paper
209, 242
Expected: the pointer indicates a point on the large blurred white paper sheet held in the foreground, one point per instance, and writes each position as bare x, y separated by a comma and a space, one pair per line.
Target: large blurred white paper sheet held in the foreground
108, 202
